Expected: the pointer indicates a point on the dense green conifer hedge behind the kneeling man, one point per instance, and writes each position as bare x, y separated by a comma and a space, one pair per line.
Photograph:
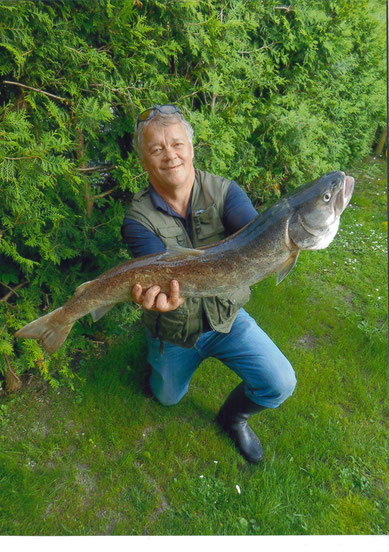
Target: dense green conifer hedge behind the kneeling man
277, 94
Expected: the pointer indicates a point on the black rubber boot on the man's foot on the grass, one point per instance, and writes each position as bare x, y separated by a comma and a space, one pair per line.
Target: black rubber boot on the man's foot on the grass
233, 417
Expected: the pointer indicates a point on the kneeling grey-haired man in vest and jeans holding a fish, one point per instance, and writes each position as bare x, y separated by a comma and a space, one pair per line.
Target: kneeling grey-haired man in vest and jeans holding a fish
187, 207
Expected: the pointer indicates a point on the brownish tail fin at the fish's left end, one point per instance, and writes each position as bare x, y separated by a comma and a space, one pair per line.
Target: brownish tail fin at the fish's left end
47, 328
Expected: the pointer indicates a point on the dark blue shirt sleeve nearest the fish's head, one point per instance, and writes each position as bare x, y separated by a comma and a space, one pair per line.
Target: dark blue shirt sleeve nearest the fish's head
238, 209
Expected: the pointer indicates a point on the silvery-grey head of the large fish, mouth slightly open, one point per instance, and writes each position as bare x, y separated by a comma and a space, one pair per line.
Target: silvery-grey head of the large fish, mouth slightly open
316, 208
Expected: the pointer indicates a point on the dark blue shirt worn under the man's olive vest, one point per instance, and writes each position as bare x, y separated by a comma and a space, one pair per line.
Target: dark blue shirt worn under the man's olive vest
238, 211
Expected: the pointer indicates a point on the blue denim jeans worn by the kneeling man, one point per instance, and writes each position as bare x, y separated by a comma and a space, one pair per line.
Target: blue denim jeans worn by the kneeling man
268, 376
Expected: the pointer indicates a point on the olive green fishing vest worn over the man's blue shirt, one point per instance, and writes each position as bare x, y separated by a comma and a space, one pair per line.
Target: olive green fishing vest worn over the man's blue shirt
184, 325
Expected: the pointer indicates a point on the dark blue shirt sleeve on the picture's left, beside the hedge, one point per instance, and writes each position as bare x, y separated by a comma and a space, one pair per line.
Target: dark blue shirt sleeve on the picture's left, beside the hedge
140, 240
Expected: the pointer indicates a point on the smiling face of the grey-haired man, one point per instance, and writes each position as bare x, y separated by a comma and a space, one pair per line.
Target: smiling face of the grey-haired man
168, 156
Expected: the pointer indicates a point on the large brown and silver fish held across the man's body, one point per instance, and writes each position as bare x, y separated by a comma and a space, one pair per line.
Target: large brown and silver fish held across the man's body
308, 218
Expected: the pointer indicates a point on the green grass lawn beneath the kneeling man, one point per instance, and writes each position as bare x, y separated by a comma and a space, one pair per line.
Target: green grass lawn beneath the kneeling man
107, 459
